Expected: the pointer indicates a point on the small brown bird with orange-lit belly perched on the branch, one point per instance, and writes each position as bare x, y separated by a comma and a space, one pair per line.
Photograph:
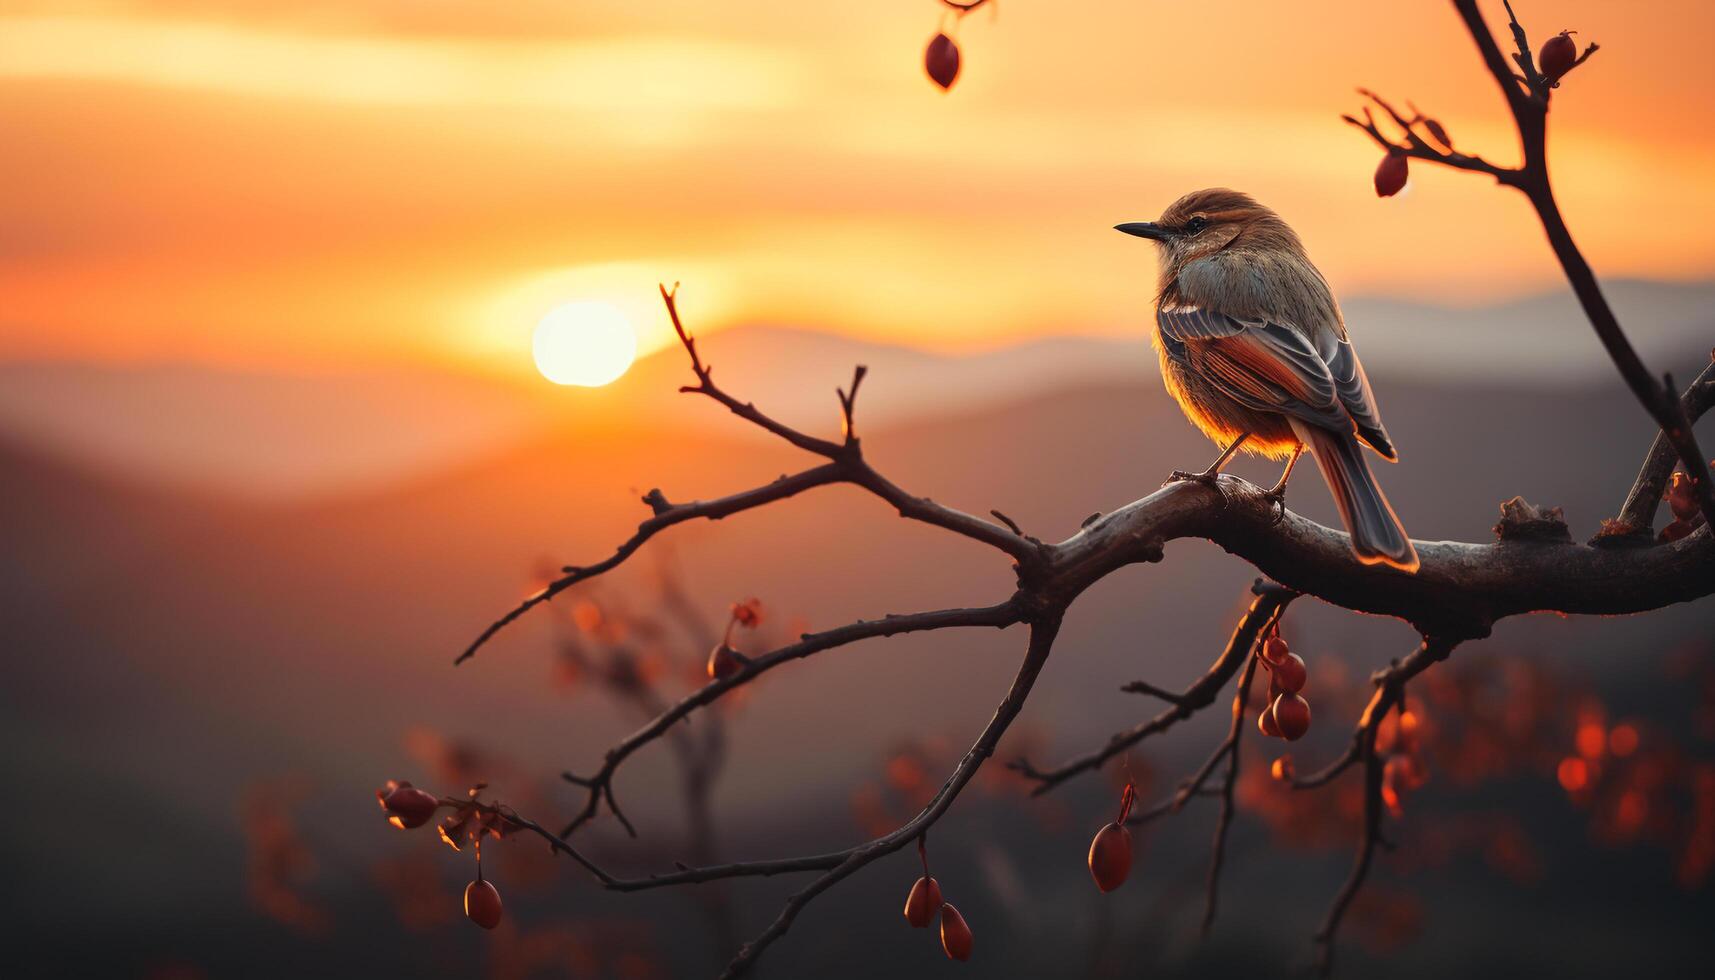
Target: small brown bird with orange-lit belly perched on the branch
1255, 349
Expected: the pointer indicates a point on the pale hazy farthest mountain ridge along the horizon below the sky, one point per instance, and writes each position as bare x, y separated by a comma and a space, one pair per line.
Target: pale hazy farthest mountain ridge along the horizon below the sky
301, 435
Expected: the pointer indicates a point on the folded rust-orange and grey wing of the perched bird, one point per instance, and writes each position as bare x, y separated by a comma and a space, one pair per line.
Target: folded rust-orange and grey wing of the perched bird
1273, 368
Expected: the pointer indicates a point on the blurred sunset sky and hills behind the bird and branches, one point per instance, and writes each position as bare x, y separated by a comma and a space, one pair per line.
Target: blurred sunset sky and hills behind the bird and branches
282, 289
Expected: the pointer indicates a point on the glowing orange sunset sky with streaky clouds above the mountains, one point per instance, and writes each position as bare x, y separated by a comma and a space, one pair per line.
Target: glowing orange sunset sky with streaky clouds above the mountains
366, 181
